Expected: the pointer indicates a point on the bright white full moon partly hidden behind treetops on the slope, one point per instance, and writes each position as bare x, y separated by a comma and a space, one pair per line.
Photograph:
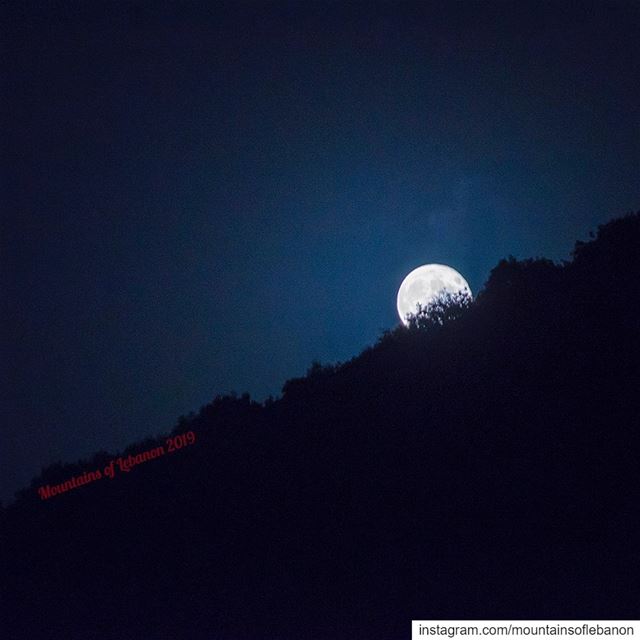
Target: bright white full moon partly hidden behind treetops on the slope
426, 283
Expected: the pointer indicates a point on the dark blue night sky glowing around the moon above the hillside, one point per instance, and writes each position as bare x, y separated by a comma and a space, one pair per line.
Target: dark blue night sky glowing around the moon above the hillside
198, 200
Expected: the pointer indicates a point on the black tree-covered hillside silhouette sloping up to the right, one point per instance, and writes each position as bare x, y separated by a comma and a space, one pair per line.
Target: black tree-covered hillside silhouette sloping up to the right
485, 464
